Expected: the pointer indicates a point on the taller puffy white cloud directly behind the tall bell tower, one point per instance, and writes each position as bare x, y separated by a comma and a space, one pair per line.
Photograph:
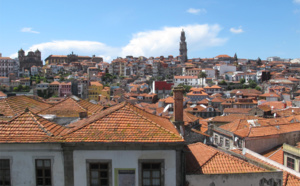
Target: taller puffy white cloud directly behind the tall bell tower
166, 41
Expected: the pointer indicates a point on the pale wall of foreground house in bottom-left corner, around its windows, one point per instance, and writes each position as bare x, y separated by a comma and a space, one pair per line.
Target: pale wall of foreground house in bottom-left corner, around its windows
22, 162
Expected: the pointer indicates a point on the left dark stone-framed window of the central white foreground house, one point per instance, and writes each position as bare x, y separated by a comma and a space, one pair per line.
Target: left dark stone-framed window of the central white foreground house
99, 173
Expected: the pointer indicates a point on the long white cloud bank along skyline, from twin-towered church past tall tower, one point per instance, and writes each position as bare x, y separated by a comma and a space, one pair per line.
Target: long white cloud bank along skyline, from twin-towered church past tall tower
150, 43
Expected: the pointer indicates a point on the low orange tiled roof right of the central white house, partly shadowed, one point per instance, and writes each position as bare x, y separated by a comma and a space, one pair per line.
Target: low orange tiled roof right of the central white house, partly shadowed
203, 159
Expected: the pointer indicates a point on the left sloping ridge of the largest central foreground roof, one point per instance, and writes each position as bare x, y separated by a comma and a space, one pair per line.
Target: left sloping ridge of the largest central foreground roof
94, 118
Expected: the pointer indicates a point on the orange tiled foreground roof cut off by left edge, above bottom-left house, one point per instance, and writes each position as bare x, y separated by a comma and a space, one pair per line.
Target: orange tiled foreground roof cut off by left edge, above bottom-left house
29, 128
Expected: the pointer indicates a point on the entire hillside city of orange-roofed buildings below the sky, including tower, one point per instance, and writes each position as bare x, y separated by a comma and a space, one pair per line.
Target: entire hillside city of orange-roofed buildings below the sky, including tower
149, 121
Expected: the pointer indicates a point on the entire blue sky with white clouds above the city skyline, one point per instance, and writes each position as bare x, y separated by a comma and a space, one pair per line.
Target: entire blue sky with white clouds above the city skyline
151, 28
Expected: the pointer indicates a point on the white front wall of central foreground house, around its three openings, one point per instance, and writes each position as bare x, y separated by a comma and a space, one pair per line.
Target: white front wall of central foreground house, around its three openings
124, 159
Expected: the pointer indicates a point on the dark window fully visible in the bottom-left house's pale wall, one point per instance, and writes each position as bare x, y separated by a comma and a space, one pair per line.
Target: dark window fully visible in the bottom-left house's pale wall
43, 172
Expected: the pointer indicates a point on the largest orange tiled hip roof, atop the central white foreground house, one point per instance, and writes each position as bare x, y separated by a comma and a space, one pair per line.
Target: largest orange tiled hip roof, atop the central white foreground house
123, 123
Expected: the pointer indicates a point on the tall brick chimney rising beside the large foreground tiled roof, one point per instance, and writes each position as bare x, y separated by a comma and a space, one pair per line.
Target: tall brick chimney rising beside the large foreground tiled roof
178, 109
